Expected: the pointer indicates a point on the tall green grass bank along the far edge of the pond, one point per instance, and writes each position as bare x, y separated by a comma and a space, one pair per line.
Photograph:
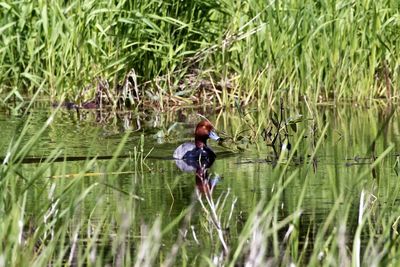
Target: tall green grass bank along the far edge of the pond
248, 51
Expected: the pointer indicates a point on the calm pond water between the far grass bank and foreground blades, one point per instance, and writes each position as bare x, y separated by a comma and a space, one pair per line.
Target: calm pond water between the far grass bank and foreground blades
354, 137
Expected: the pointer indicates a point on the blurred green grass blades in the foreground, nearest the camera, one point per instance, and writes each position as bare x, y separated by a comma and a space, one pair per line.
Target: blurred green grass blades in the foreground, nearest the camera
50, 217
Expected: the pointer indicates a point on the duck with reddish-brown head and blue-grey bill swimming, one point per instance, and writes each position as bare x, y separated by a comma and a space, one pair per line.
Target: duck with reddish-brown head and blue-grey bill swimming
198, 149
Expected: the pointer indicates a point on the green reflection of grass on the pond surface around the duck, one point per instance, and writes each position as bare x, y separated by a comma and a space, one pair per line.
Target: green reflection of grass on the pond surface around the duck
355, 137
